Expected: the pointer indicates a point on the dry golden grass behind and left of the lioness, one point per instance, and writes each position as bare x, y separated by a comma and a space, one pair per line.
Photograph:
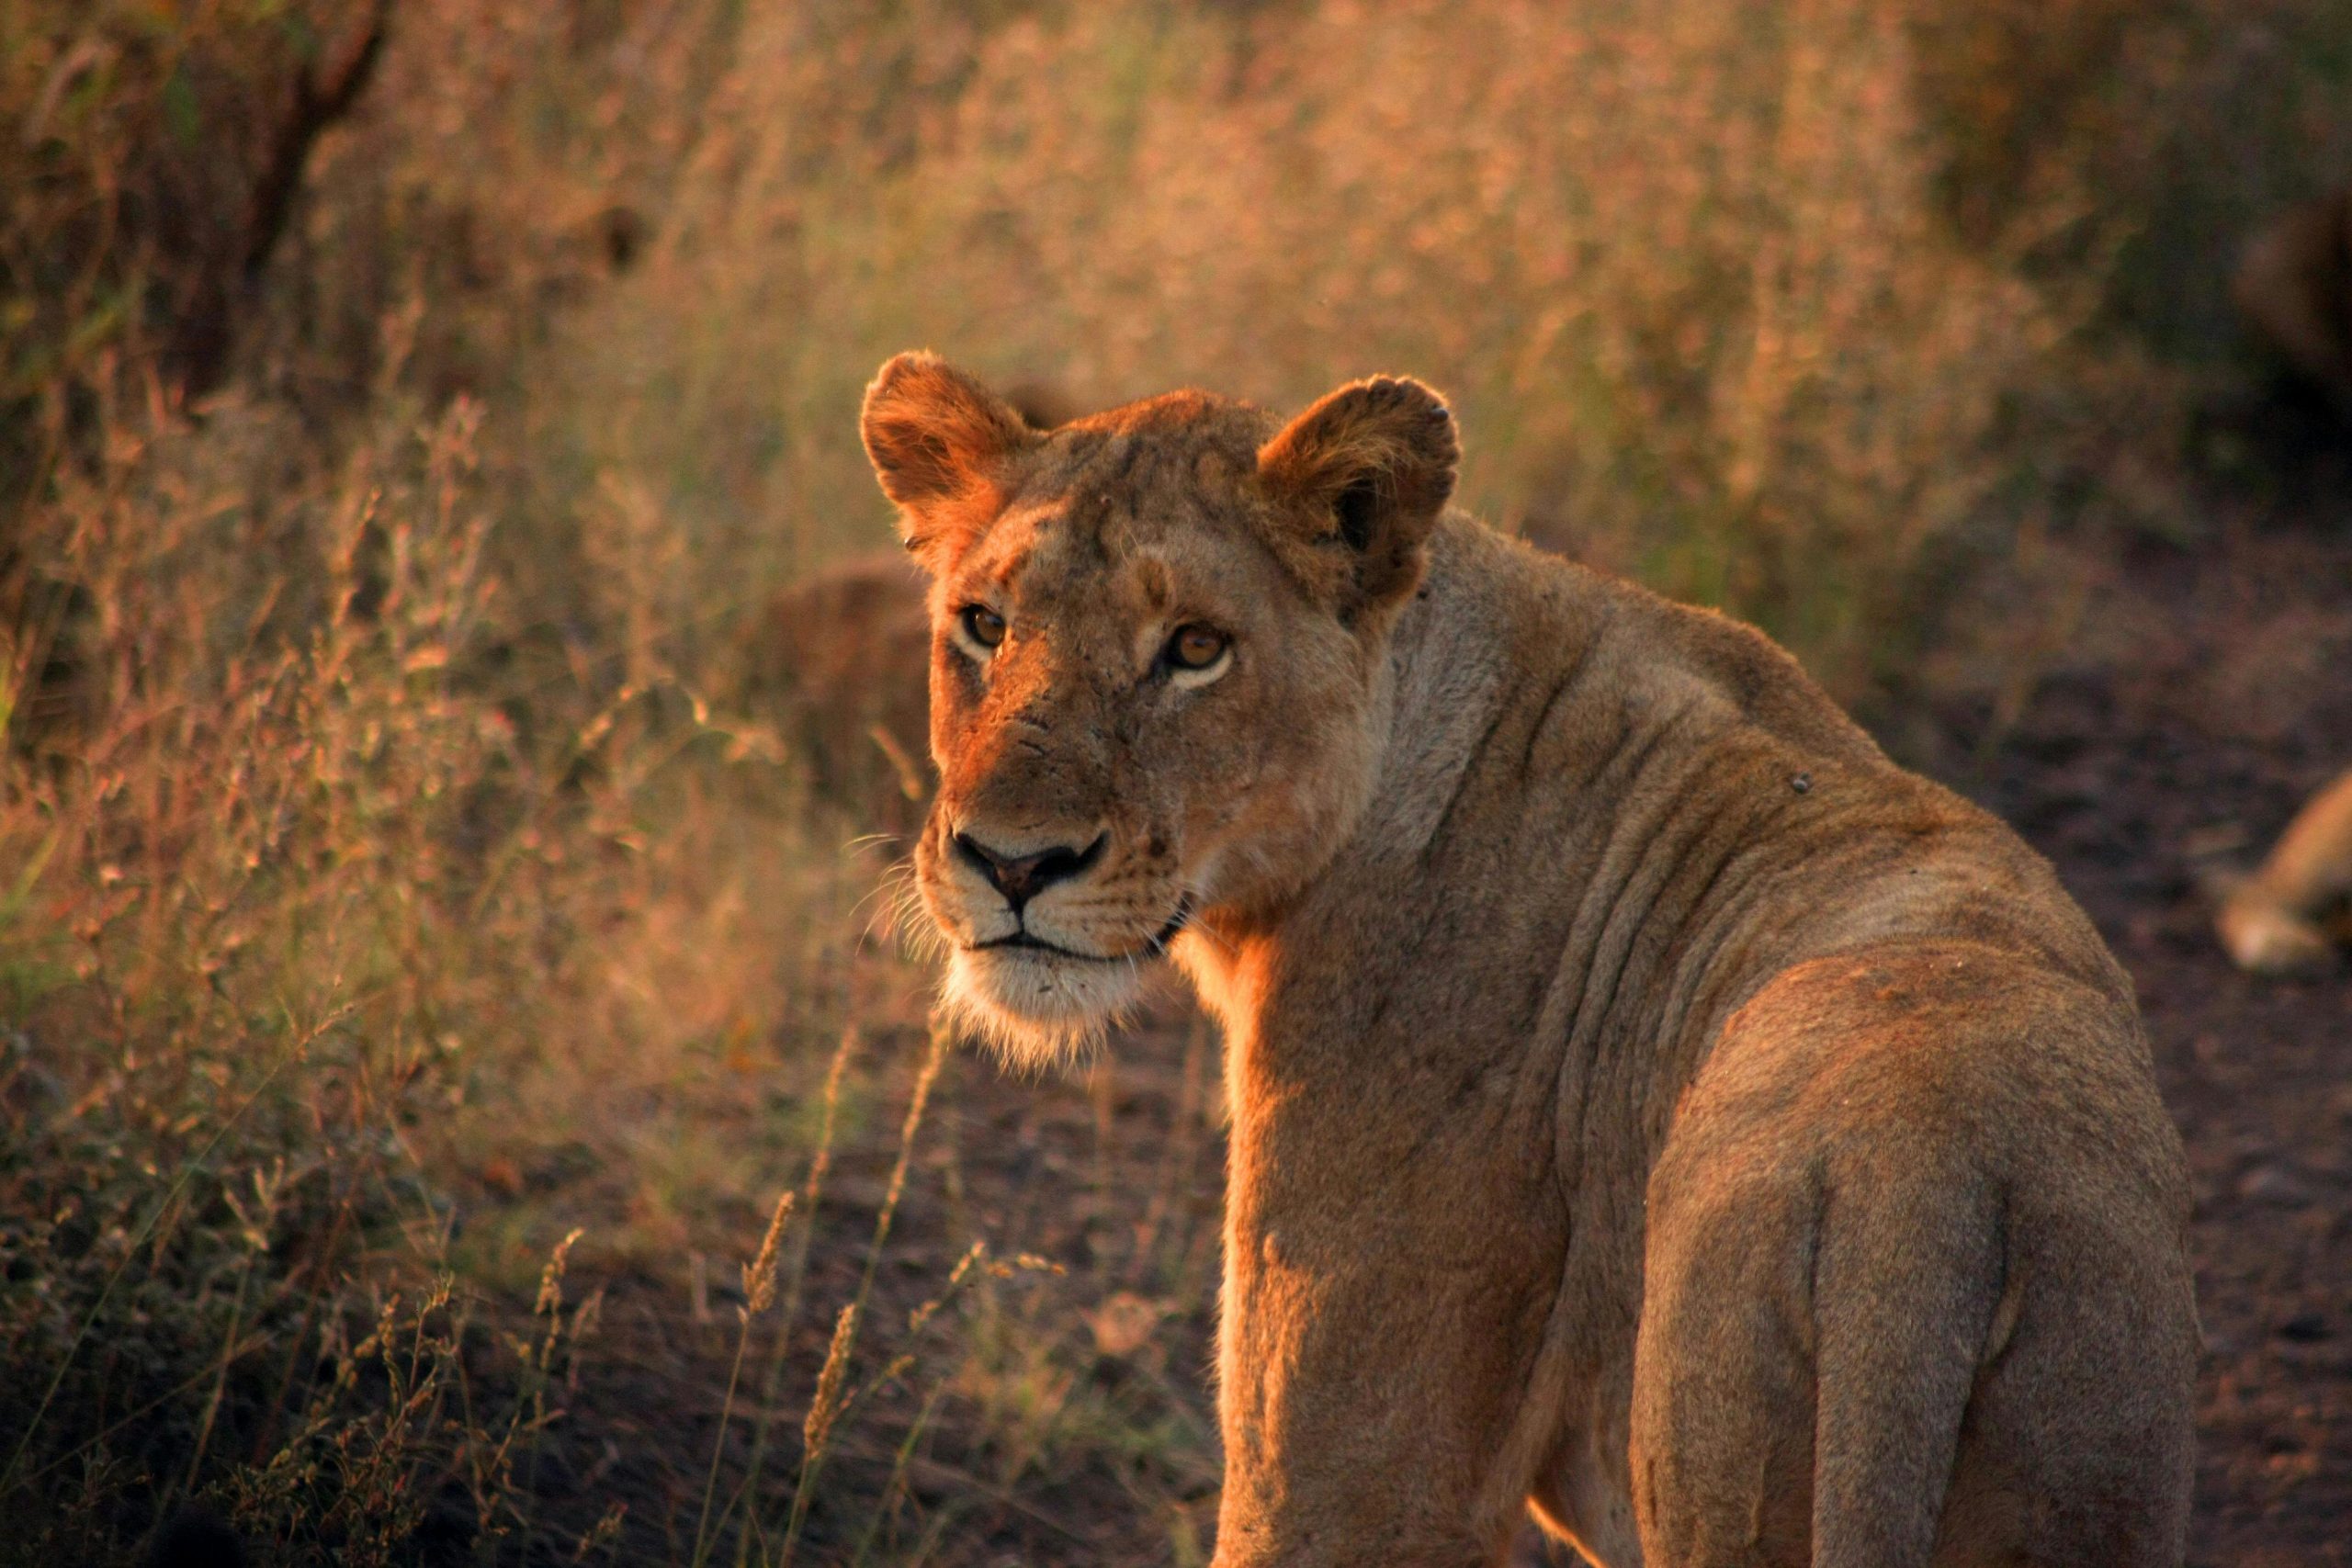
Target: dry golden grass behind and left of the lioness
425, 965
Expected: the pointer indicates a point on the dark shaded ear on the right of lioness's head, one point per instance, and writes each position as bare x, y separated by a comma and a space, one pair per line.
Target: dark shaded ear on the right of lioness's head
1363, 476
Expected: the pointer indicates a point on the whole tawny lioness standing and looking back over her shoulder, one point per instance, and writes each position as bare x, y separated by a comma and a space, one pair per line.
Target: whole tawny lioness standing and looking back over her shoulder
1650, 1106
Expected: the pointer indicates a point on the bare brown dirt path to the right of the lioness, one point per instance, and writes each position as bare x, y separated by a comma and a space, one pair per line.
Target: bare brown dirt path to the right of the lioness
2233, 709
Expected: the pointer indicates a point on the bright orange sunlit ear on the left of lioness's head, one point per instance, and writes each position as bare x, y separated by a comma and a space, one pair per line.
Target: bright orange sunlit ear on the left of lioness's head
937, 441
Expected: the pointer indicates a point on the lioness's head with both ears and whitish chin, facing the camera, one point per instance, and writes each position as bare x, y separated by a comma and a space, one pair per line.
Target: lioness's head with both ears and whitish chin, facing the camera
1158, 669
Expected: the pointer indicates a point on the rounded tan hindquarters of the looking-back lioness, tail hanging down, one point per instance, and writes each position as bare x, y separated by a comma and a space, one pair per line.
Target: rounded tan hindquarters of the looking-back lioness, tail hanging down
1906, 1311
